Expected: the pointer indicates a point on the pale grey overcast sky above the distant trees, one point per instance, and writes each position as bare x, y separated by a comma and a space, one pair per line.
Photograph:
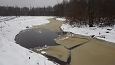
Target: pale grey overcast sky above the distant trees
29, 3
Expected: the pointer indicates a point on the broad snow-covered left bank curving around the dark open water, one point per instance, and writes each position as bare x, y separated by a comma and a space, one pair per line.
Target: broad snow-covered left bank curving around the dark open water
14, 54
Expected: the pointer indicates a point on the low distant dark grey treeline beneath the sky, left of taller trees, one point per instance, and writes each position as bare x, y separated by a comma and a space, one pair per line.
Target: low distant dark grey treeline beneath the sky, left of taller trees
16, 11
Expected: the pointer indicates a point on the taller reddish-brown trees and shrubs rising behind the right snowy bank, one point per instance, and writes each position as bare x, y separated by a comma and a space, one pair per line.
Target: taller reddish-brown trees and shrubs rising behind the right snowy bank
91, 12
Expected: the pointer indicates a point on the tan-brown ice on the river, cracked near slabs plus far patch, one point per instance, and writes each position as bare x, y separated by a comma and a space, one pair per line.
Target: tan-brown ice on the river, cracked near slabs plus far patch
84, 50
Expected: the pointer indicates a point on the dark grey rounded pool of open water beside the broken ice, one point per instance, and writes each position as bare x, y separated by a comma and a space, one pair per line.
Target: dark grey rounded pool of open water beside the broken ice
31, 38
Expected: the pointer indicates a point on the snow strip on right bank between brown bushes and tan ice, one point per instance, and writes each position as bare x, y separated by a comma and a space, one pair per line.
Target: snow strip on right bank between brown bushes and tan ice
100, 33
